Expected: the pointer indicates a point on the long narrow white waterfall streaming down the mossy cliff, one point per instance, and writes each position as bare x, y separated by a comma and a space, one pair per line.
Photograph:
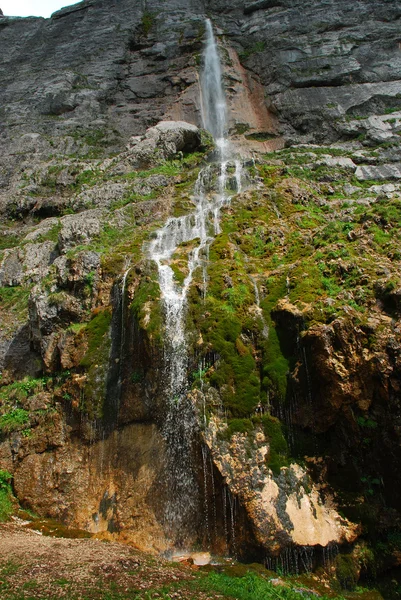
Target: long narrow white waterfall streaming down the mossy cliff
199, 227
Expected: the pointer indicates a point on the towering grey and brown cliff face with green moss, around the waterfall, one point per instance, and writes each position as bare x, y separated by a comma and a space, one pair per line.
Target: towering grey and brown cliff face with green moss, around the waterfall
294, 342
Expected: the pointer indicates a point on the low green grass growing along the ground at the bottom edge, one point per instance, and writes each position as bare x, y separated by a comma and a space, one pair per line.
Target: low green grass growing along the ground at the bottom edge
248, 586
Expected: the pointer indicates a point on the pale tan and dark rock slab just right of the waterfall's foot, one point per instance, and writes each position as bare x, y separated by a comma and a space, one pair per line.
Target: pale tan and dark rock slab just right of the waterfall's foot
285, 510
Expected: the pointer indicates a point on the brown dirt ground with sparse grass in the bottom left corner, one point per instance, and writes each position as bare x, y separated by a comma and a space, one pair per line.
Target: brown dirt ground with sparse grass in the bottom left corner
36, 566
